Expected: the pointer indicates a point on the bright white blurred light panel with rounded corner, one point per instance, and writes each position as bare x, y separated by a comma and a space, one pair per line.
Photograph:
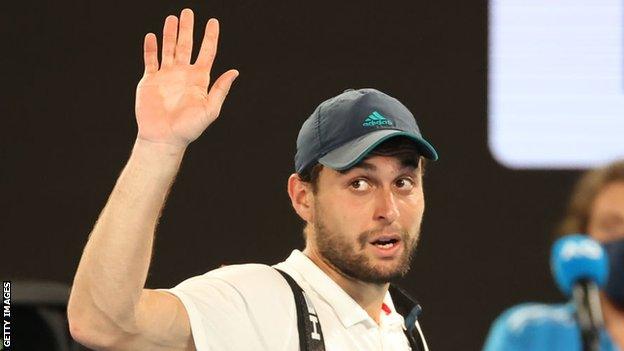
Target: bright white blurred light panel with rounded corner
556, 83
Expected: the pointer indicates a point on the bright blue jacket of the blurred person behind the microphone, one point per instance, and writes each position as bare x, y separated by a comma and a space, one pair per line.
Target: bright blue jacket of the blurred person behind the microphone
539, 327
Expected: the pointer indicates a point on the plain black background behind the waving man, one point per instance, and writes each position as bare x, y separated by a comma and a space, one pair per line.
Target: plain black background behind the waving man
69, 74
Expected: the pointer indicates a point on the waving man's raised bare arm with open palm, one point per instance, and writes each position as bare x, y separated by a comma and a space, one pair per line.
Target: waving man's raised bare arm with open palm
109, 307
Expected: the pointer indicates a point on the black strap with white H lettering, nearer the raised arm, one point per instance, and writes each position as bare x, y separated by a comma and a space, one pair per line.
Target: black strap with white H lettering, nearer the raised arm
310, 333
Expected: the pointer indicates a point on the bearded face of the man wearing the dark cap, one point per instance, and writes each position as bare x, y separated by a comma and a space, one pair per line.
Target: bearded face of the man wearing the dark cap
367, 220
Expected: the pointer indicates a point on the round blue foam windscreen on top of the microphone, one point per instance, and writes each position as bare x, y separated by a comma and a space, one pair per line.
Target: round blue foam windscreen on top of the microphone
578, 257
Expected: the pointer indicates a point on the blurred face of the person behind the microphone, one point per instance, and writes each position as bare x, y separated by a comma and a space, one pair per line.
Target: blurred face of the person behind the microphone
606, 218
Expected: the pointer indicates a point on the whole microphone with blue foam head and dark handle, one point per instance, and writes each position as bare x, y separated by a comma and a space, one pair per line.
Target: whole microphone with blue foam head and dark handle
580, 267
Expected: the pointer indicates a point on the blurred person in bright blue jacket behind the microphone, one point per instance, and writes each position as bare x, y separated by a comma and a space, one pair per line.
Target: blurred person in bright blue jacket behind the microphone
596, 208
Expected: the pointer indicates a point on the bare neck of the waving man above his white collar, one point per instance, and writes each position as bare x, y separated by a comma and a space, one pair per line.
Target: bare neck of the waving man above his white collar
368, 295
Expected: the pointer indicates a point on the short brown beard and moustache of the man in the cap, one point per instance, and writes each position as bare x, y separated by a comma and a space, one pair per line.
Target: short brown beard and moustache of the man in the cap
351, 259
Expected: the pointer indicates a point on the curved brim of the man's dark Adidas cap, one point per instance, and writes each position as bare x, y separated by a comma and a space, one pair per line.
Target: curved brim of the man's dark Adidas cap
349, 154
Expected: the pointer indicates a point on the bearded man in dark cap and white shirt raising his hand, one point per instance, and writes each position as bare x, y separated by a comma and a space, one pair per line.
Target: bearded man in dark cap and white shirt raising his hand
358, 187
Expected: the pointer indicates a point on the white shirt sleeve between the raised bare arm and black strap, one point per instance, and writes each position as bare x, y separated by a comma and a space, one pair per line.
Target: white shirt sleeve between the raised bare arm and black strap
243, 307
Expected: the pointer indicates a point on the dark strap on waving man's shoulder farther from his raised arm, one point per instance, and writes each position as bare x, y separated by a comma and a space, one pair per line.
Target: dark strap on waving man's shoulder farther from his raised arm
409, 308
